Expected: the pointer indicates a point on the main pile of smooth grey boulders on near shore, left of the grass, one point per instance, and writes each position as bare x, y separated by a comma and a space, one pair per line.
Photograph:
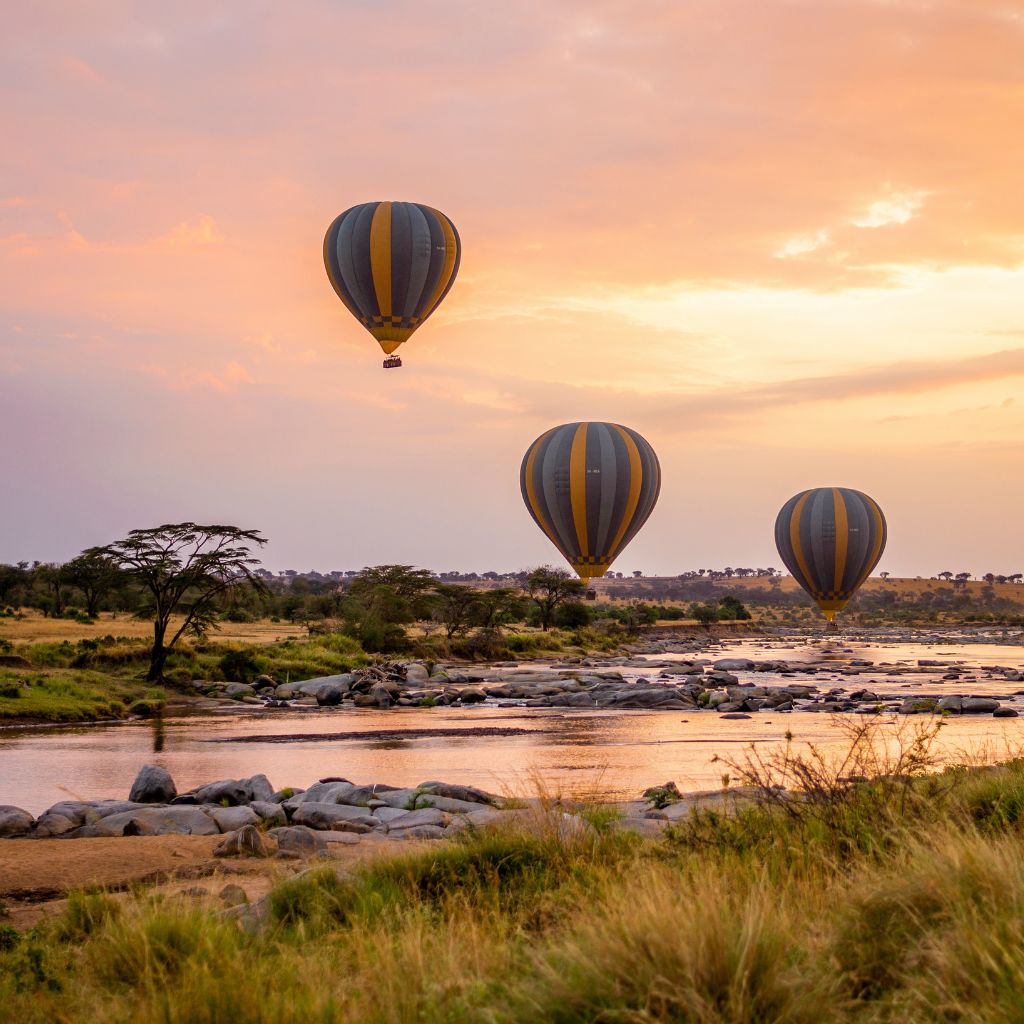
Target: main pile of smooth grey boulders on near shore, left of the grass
251, 814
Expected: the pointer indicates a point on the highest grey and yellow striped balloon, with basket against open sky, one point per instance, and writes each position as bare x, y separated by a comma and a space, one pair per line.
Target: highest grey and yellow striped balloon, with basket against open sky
392, 265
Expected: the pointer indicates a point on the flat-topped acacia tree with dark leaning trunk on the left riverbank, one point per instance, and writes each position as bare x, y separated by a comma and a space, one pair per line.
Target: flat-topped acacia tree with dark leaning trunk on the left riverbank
186, 569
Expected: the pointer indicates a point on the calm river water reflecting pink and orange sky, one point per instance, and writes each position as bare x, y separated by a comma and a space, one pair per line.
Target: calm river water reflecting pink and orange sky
609, 754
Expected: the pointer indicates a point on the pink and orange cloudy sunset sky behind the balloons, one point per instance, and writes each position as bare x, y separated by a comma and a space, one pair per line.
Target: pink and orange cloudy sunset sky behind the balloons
784, 240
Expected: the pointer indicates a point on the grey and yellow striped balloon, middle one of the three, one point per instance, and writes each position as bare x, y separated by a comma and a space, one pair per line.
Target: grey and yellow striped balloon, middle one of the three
590, 487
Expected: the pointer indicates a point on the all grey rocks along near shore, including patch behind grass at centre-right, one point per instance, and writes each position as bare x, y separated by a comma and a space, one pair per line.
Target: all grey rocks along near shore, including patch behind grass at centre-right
259, 822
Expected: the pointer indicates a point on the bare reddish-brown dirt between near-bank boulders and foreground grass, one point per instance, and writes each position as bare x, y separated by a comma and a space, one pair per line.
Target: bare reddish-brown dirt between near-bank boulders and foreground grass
37, 875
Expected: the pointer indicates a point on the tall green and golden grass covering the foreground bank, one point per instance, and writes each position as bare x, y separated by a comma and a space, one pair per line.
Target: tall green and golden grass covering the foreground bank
889, 900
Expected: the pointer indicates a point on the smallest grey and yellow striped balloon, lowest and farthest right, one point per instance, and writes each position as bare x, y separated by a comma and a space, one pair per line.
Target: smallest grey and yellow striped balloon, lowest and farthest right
831, 539
